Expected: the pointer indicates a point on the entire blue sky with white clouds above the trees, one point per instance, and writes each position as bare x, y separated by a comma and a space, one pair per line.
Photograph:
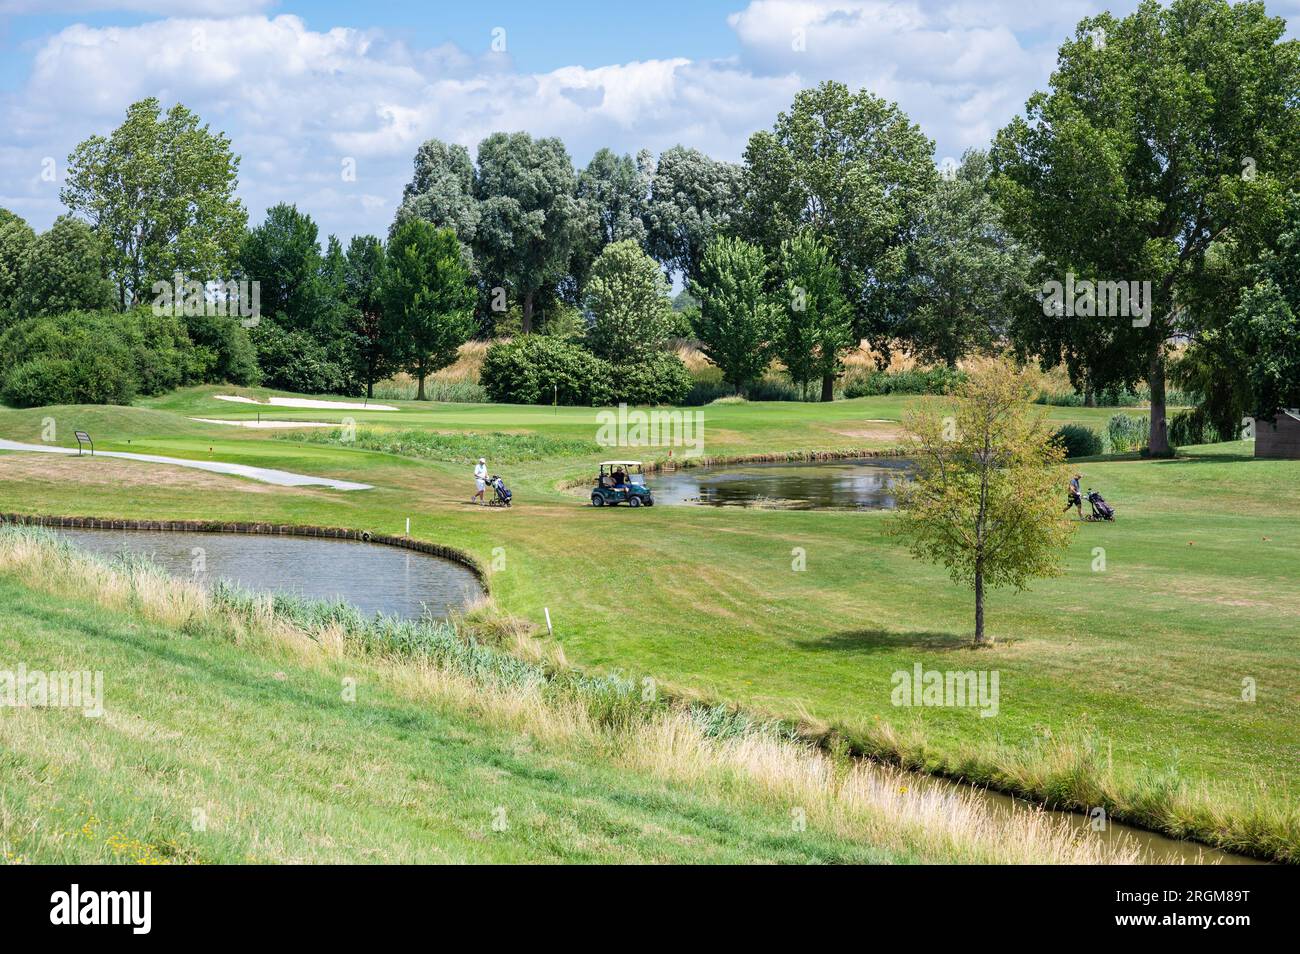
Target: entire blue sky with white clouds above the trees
304, 90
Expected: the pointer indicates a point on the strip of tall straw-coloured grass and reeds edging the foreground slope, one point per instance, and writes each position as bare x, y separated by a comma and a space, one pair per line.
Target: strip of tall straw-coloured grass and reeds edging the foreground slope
508, 680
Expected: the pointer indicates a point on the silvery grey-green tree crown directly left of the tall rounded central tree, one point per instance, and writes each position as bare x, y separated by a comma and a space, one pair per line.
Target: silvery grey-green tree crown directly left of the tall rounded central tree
692, 200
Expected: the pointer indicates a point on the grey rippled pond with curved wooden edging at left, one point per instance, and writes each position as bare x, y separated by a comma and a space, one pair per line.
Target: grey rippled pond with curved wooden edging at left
372, 578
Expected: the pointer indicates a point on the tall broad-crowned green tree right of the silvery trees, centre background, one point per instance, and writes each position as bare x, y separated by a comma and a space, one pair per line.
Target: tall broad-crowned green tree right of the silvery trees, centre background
855, 171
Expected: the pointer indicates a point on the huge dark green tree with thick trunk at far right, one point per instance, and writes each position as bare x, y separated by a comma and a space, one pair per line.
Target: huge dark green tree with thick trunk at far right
1165, 140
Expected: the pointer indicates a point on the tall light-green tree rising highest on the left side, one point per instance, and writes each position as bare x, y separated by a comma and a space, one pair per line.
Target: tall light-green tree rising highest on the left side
161, 193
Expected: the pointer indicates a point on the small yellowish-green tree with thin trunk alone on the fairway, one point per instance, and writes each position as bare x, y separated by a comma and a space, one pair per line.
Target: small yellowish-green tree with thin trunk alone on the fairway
986, 496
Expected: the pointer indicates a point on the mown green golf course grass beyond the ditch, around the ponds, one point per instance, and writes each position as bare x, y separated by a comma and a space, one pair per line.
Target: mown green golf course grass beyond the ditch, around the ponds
1139, 666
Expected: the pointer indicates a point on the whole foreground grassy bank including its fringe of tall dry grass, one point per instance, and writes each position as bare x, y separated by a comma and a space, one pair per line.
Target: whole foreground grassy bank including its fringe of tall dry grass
228, 713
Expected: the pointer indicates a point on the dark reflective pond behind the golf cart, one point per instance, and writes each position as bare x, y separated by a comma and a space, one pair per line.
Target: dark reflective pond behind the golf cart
865, 484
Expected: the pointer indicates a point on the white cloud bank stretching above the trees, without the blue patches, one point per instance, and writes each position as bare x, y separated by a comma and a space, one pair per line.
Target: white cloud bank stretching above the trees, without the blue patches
298, 102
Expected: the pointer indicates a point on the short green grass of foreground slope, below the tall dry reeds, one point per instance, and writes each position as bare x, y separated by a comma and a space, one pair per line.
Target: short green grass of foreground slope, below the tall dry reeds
285, 771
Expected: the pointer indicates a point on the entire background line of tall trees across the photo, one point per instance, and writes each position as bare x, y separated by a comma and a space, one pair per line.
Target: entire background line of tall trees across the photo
1163, 154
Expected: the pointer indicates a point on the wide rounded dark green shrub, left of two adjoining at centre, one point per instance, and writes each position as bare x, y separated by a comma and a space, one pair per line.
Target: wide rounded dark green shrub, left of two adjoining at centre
538, 370
